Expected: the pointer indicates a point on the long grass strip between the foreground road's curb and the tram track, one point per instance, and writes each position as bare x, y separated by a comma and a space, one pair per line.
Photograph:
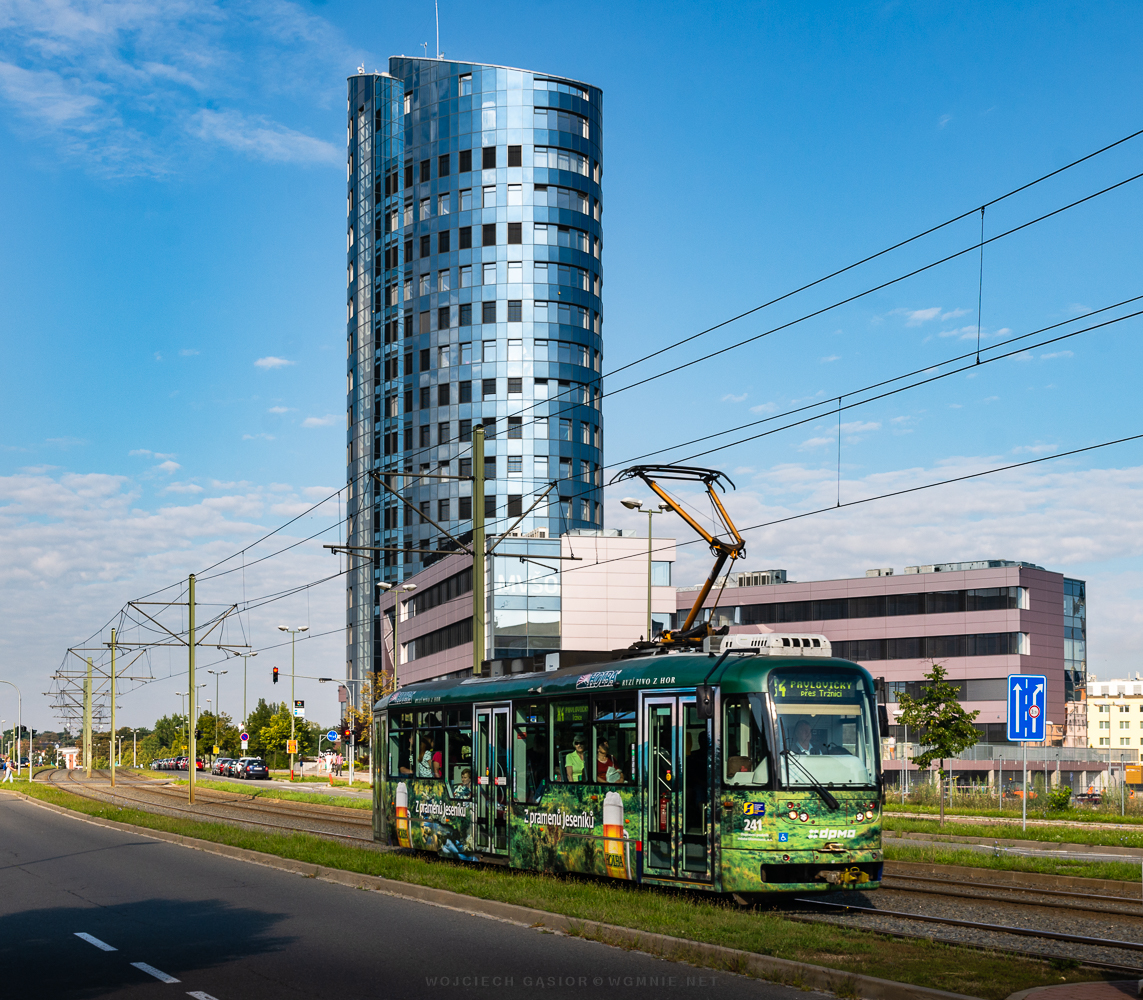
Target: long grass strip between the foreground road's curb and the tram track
989, 975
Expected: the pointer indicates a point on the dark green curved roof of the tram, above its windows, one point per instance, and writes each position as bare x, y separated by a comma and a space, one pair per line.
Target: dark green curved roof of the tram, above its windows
744, 674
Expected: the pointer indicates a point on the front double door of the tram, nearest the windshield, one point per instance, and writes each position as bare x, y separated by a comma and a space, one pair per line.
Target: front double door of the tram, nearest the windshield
678, 762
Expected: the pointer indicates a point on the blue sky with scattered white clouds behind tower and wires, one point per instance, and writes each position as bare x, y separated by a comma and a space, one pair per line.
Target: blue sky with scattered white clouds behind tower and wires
172, 285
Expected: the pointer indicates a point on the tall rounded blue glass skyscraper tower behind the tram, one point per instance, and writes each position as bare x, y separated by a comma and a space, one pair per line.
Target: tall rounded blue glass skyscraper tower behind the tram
475, 282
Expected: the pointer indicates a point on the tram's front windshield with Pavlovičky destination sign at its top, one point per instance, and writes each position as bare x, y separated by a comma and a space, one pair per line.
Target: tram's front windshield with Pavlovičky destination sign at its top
825, 730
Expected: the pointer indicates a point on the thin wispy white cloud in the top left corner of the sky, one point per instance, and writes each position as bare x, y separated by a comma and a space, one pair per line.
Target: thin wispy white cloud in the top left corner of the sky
133, 89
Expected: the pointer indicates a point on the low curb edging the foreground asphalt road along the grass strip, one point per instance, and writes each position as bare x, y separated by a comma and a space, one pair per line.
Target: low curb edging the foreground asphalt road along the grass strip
712, 956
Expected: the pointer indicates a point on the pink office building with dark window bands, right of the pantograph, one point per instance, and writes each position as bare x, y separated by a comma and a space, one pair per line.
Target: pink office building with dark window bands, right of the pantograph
982, 621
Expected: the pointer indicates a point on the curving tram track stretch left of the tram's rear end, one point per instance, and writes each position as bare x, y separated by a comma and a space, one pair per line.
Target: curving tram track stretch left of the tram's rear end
253, 812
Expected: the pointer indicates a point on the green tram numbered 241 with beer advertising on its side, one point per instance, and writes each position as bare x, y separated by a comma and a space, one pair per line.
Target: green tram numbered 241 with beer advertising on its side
756, 772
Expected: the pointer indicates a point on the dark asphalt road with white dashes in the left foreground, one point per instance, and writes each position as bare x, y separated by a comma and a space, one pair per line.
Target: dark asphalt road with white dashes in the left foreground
231, 931
